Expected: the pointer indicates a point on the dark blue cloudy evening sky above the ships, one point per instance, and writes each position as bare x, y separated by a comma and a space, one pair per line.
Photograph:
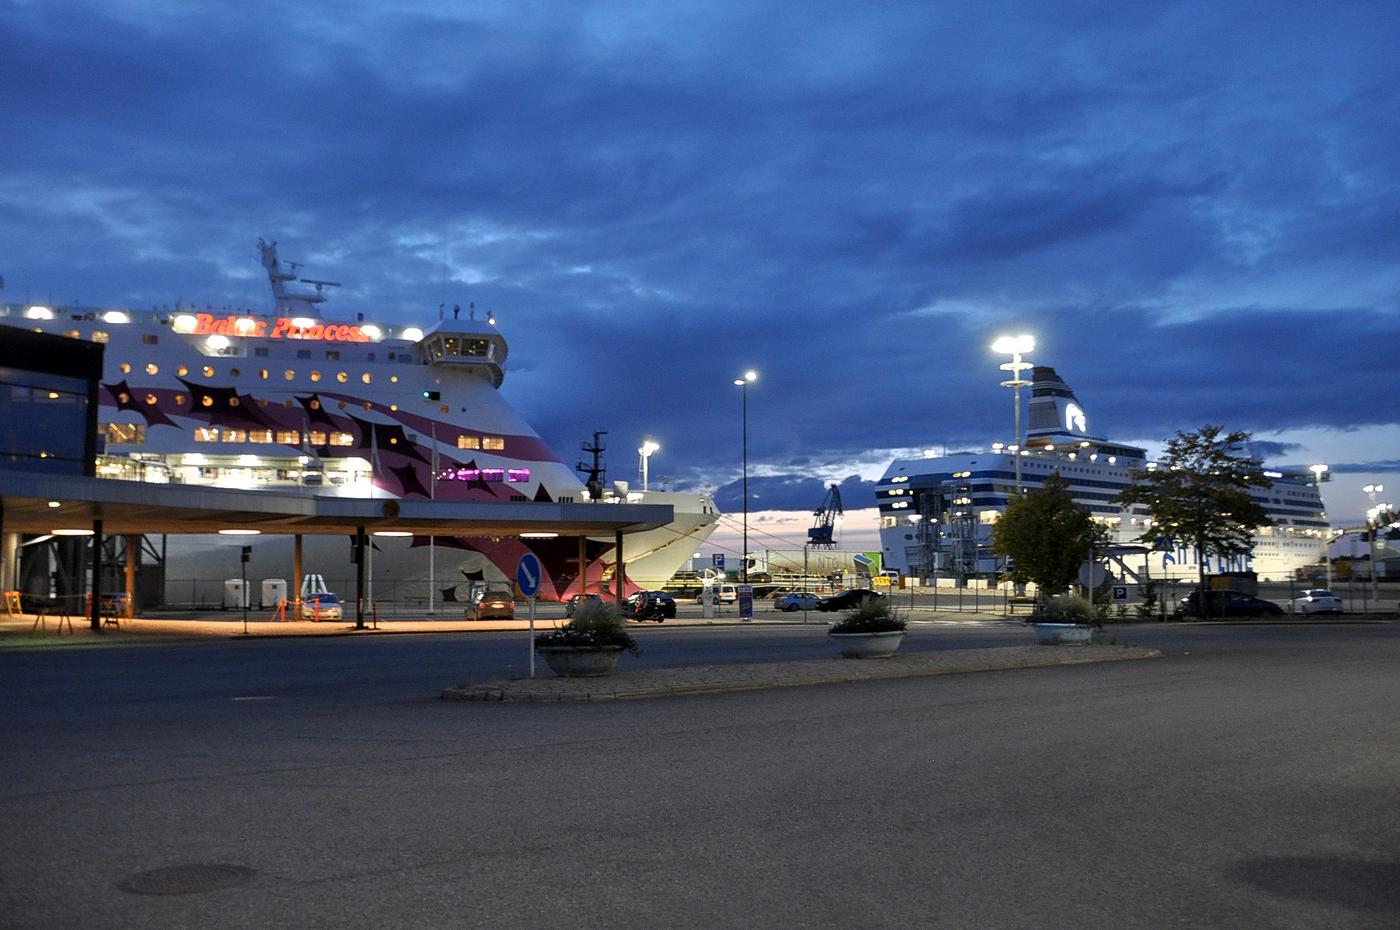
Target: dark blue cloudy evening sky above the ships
1192, 207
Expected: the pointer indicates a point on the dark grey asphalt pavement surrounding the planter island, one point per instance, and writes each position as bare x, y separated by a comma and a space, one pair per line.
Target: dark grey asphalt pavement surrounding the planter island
1247, 779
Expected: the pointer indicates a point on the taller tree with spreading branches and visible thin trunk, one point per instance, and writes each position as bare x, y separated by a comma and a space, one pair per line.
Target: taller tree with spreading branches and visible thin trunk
1199, 494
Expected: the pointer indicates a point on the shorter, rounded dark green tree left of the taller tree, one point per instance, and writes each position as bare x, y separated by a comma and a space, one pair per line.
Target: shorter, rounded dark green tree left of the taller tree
1048, 536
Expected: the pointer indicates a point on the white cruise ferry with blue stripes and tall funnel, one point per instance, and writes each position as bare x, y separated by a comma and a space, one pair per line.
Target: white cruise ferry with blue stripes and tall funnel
937, 513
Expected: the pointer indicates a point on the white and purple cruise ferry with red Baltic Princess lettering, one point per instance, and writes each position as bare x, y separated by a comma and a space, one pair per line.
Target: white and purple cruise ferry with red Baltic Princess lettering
295, 400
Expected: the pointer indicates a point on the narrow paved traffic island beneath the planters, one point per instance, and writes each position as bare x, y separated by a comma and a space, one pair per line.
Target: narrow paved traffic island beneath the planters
692, 680
